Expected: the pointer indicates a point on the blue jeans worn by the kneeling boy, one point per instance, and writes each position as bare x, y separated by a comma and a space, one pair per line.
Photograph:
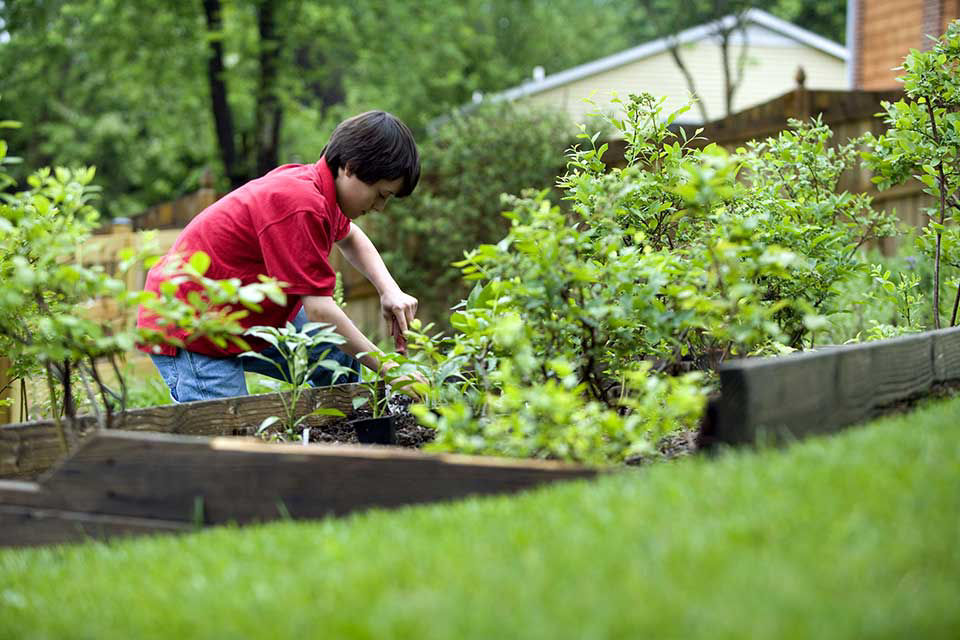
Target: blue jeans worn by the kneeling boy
194, 376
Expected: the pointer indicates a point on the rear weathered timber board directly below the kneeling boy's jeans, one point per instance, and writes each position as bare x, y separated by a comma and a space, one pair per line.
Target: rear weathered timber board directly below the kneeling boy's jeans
30, 448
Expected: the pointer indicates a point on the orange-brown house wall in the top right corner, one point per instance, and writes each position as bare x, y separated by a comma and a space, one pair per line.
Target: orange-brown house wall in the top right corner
882, 32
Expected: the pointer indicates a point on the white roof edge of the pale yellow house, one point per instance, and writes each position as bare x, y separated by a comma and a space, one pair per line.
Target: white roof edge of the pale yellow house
752, 17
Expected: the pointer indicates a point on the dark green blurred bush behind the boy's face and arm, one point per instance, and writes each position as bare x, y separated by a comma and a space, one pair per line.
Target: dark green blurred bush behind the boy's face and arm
468, 162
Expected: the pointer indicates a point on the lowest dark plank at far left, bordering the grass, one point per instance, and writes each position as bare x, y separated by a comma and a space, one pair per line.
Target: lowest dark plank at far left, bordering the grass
31, 526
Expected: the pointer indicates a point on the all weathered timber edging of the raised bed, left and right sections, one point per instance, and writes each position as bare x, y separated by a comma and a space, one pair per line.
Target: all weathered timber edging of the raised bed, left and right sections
139, 480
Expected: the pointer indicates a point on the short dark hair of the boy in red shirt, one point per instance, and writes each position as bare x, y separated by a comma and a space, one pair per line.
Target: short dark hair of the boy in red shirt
377, 146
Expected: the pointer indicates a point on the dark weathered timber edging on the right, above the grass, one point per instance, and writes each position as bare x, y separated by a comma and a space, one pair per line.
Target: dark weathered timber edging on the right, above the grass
821, 391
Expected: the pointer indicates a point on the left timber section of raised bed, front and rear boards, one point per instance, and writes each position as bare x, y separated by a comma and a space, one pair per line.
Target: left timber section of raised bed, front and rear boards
164, 473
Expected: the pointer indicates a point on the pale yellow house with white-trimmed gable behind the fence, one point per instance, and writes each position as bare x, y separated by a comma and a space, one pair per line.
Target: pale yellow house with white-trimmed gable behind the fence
775, 49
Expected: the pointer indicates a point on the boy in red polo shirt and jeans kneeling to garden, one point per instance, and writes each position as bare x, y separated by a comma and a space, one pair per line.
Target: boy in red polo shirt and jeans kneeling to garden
283, 225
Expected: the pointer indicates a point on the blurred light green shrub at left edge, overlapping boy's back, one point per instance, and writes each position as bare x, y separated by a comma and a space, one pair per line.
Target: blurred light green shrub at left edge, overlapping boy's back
51, 300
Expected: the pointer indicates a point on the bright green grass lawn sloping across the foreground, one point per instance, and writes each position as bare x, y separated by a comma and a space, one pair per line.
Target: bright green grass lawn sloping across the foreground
854, 536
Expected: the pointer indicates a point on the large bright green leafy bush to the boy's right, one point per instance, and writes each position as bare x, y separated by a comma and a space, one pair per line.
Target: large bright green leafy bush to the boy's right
585, 331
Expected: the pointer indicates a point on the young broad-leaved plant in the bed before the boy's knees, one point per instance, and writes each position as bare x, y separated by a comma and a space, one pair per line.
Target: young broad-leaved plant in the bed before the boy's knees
295, 348
